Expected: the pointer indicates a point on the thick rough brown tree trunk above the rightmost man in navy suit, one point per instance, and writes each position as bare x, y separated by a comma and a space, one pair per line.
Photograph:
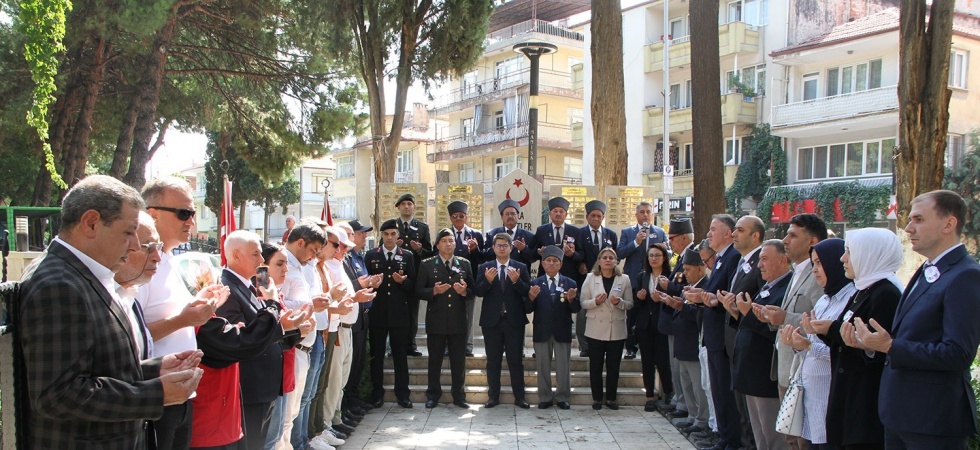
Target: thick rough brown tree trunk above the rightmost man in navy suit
923, 96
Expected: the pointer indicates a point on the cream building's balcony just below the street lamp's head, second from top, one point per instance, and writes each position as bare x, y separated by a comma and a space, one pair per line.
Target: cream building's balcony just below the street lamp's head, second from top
550, 82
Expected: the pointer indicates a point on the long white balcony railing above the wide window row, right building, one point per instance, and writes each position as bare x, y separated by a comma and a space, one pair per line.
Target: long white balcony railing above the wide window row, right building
844, 106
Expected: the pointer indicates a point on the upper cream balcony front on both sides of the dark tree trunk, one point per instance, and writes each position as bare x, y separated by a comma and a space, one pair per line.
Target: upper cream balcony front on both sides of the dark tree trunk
734, 37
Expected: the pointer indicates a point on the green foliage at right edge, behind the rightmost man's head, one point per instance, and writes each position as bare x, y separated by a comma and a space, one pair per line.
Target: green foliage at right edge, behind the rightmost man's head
963, 180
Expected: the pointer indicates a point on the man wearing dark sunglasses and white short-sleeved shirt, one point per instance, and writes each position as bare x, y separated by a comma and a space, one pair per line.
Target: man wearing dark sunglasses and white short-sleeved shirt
171, 312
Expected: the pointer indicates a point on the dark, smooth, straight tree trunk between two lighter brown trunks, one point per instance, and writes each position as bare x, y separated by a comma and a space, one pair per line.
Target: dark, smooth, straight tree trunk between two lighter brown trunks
709, 172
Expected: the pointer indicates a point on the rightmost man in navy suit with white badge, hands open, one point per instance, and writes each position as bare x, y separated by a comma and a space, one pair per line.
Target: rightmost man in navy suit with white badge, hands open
934, 337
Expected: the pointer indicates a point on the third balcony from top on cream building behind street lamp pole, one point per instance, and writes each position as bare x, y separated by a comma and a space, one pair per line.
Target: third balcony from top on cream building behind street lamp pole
550, 135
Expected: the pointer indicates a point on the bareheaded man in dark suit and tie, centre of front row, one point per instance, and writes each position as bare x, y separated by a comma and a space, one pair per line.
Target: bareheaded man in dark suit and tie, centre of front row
504, 284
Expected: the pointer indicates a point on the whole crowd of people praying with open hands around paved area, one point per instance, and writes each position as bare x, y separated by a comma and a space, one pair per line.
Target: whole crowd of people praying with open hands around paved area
120, 355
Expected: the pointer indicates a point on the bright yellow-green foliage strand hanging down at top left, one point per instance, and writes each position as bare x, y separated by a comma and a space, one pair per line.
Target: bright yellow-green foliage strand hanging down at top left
43, 23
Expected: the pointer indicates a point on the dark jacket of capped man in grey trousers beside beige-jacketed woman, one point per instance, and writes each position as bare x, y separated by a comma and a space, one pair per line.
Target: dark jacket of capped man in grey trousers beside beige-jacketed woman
553, 313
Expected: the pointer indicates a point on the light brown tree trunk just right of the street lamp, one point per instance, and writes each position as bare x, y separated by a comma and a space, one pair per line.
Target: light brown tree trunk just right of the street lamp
608, 115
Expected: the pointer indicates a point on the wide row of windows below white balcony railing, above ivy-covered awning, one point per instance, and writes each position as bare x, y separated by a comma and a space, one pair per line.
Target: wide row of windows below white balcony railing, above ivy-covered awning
850, 159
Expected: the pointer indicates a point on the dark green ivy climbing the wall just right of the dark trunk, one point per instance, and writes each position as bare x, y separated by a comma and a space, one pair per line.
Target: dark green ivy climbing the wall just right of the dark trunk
764, 154
